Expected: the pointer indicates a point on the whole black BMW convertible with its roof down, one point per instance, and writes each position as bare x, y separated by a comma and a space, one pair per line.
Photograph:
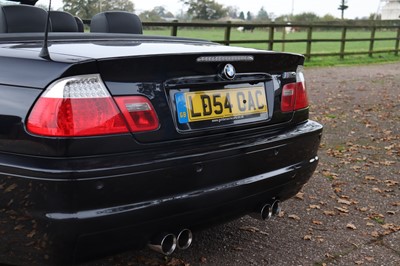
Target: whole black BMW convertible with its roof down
113, 139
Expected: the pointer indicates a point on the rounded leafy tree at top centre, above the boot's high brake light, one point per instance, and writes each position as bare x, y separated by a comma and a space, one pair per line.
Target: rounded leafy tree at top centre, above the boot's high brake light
205, 9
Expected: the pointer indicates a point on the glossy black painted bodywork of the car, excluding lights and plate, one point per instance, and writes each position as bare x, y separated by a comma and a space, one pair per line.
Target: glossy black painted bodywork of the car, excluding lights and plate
69, 199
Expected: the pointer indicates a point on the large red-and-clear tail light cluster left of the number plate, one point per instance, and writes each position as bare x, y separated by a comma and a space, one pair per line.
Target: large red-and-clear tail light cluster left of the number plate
82, 106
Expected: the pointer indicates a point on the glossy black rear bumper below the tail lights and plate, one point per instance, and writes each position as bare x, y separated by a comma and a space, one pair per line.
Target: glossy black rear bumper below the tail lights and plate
73, 209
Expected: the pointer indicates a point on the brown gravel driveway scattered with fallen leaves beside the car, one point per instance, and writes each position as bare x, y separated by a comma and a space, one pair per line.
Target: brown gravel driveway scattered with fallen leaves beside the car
349, 212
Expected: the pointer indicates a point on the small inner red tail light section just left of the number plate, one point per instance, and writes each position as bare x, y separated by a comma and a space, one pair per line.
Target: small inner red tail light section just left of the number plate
138, 112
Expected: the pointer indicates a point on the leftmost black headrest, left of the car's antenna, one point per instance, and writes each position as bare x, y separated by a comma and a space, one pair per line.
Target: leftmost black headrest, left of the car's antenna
22, 18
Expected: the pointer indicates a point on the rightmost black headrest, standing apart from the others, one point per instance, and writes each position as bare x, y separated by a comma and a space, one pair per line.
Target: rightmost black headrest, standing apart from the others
116, 22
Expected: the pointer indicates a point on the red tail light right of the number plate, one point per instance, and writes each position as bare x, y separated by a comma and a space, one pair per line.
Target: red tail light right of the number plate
294, 95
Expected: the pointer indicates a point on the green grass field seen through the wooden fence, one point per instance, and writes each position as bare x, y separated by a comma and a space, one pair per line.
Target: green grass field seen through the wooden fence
217, 34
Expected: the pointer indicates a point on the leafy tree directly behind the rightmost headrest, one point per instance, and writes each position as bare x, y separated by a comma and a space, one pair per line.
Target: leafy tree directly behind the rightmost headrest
86, 9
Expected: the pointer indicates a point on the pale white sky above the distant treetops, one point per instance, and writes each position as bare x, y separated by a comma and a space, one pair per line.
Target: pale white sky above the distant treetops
357, 8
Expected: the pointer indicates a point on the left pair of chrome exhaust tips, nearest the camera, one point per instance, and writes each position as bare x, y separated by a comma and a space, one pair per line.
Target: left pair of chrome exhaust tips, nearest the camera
166, 243
